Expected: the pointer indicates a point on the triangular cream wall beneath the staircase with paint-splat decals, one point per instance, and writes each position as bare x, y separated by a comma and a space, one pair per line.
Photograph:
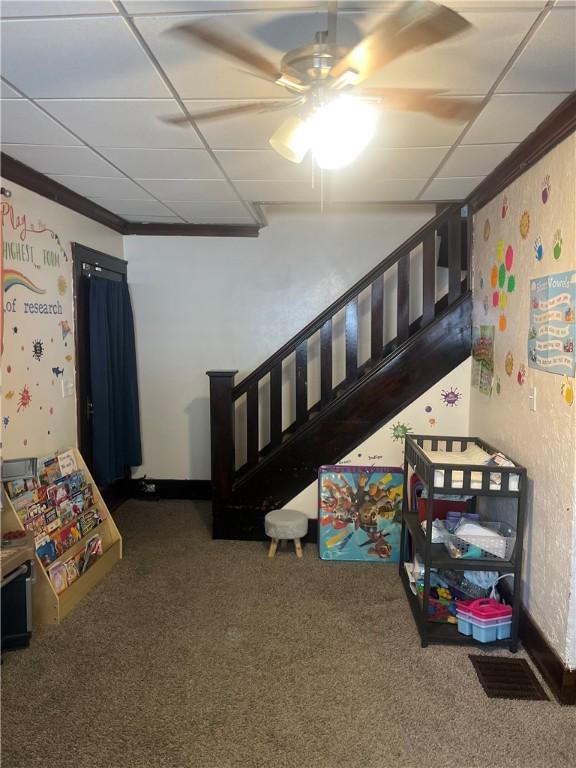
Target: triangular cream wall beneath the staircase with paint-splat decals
429, 414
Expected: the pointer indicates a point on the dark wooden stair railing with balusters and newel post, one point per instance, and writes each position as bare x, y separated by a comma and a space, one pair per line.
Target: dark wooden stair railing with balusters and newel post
225, 396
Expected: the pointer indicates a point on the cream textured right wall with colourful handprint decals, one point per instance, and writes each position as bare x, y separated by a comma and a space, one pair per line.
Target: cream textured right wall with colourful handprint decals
543, 440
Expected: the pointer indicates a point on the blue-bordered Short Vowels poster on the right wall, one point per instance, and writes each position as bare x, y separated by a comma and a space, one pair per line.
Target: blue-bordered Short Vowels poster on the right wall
552, 323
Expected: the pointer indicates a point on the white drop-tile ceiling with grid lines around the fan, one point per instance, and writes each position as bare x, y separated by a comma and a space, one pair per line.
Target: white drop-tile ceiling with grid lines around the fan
84, 83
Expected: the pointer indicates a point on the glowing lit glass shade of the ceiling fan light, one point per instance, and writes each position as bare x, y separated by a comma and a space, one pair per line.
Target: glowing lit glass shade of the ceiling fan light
340, 130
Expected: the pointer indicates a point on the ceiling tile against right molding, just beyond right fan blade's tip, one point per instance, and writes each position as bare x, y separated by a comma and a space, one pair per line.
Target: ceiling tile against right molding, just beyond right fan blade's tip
510, 118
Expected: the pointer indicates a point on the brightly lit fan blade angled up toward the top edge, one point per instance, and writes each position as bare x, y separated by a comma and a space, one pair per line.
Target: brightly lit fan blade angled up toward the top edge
416, 24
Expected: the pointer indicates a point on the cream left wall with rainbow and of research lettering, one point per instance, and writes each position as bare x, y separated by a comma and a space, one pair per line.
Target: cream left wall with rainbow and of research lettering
37, 237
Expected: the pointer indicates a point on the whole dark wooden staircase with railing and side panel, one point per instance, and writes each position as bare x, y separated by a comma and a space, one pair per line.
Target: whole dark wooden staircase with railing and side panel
317, 397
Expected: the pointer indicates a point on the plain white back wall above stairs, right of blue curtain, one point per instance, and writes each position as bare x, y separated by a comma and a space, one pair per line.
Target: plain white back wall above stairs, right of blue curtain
225, 303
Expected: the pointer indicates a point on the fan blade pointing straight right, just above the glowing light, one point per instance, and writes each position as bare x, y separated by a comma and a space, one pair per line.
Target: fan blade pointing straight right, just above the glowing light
428, 101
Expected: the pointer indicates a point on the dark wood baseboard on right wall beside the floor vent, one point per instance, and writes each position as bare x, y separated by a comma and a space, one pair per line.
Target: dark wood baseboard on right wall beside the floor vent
561, 680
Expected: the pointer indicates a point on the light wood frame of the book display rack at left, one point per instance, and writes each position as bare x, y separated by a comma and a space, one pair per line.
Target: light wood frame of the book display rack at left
49, 607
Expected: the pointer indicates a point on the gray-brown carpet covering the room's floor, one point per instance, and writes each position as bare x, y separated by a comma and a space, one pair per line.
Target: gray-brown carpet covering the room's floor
202, 654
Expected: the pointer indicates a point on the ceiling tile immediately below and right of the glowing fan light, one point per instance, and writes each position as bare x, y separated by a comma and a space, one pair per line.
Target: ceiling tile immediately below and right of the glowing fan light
384, 164
